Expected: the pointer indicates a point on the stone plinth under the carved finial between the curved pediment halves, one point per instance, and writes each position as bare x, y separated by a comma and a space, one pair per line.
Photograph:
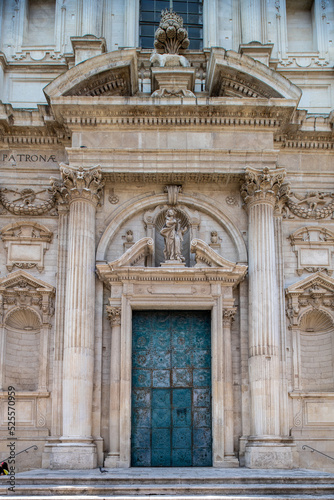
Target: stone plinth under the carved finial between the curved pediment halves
173, 81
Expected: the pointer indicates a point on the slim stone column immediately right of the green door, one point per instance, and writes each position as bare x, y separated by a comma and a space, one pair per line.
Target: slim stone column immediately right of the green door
228, 317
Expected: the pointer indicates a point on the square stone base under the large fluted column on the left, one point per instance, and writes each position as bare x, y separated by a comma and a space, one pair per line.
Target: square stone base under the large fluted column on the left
73, 456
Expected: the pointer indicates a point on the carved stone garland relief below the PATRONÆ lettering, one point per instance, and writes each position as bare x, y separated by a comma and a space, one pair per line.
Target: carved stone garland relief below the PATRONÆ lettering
27, 201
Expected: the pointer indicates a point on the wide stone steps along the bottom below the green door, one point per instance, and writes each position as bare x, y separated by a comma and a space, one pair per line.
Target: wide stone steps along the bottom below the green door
173, 484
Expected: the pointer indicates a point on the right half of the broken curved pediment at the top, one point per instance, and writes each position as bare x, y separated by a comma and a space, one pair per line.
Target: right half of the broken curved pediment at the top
231, 74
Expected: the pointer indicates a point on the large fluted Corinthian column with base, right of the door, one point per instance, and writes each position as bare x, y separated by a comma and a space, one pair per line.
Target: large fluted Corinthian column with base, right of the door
265, 447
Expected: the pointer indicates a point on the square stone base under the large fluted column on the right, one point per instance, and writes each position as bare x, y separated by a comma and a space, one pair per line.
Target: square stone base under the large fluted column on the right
261, 454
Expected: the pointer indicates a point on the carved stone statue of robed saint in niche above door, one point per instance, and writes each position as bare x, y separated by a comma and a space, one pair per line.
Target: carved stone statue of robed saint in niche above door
173, 235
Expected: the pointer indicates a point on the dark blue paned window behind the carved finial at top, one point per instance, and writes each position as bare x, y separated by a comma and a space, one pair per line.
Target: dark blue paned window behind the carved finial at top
190, 11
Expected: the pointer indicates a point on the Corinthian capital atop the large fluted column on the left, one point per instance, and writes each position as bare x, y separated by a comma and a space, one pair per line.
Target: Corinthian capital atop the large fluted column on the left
82, 183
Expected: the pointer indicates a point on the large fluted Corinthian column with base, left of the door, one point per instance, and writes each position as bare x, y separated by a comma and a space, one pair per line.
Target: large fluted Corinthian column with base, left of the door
82, 188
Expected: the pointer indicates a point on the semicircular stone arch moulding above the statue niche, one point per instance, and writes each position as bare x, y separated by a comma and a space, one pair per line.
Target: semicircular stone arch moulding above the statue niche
128, 210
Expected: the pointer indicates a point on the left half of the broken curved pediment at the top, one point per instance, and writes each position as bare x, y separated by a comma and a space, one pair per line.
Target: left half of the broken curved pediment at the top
111, 74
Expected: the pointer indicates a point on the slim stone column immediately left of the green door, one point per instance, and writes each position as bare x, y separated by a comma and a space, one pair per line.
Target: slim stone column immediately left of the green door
113, 457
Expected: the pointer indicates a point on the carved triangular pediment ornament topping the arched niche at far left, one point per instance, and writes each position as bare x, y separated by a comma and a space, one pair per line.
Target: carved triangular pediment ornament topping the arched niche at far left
20, 290
